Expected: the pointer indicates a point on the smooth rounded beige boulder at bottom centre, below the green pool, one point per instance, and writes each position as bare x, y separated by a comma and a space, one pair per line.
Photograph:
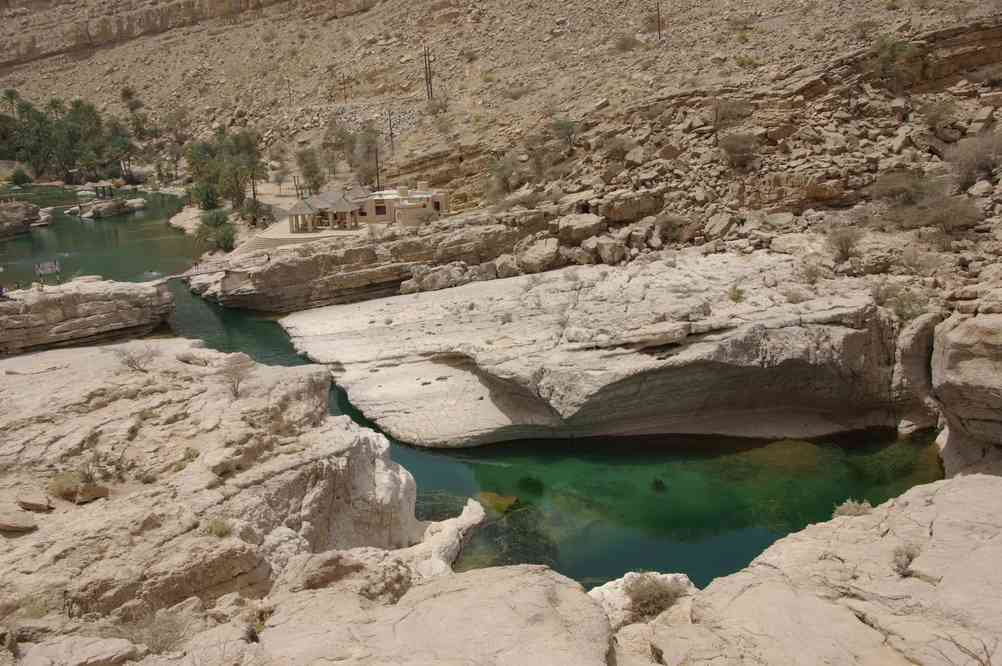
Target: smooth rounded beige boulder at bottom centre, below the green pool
512, 616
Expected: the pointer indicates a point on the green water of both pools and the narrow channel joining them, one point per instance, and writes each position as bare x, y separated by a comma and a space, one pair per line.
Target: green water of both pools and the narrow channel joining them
593, 509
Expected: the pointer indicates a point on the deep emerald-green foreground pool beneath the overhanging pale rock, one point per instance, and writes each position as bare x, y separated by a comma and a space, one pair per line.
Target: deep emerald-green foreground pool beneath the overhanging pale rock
720, 502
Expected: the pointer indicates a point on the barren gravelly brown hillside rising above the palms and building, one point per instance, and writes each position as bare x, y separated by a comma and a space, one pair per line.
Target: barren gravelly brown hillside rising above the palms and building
500, 70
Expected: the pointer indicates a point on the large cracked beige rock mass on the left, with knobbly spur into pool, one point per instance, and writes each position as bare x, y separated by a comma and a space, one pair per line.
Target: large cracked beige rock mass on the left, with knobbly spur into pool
214, 489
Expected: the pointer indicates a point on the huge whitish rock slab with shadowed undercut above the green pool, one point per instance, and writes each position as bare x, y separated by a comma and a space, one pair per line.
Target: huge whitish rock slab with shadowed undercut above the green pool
670, 346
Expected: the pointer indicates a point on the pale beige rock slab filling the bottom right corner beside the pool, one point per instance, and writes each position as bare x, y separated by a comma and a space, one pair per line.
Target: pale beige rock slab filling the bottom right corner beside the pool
914, 582
